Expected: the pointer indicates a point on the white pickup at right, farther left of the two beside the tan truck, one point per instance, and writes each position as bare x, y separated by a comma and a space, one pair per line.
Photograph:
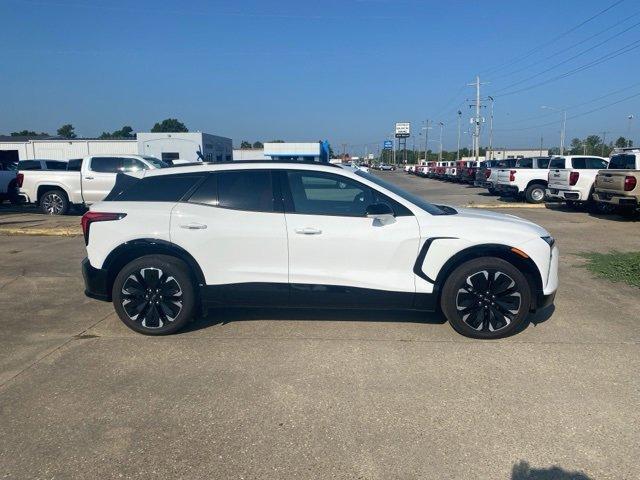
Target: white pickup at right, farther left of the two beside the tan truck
528, 178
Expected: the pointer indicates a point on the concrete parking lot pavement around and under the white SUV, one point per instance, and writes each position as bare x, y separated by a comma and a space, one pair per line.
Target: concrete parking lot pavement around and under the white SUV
318, 394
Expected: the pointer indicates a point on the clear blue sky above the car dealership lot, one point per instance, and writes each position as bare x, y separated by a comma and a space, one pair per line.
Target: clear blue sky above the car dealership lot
344, 70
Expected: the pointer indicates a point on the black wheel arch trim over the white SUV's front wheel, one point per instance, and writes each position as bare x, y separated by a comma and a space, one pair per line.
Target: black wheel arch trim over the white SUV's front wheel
526, 265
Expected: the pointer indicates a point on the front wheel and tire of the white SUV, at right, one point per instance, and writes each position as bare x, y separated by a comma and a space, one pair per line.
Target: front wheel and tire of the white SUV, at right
474, 313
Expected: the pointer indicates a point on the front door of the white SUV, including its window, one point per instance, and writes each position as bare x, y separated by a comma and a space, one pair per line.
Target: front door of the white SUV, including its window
338, 256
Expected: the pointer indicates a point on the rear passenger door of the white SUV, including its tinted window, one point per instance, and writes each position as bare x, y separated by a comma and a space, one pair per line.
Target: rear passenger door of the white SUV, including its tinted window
234, 227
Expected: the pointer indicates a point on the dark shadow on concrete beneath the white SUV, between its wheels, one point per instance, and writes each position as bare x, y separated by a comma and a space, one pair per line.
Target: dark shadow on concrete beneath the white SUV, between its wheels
225, 315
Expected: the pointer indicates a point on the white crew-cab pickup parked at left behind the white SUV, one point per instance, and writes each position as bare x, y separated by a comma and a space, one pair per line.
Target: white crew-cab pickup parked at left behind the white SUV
85, 181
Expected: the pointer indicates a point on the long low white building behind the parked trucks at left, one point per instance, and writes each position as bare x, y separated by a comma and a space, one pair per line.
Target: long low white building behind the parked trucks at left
180, 147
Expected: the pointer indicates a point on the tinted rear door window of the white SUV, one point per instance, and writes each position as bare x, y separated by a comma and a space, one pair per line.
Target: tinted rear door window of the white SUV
250, 190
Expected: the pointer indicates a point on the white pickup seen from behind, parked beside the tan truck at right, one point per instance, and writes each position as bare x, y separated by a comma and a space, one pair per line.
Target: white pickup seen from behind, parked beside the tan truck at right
572, 178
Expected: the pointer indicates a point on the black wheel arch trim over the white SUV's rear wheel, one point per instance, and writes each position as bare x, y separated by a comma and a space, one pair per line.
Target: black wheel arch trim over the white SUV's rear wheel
129, 251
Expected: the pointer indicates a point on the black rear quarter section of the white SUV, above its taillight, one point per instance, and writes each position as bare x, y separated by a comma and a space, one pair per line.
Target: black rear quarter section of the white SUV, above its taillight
161, 188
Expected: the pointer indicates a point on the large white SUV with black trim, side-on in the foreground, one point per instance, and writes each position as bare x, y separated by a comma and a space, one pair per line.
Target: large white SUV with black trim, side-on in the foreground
167, 243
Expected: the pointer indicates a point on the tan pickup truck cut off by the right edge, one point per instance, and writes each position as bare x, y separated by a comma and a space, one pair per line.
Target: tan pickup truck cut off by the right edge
619, 185
